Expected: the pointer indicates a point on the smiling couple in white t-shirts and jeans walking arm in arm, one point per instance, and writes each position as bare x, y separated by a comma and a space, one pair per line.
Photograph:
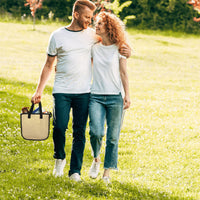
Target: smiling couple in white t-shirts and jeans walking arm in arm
77, 48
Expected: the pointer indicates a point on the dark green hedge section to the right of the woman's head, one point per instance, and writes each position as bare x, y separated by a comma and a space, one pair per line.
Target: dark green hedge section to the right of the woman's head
162, 14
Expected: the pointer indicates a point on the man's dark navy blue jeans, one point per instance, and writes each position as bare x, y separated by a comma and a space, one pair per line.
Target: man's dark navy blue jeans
62, 105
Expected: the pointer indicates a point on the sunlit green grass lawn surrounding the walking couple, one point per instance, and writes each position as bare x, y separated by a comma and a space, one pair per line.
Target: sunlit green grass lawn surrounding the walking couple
159, 150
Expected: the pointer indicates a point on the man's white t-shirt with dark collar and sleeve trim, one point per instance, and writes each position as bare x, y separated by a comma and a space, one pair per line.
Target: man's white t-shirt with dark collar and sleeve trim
73, 51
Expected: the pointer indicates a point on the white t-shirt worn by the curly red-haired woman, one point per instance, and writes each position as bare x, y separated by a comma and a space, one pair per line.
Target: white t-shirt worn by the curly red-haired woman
106, 72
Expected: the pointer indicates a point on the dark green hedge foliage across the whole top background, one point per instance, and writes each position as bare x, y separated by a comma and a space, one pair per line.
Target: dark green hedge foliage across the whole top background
174, 15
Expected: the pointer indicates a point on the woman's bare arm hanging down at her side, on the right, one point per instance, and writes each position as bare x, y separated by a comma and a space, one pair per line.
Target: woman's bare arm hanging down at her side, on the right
124, 78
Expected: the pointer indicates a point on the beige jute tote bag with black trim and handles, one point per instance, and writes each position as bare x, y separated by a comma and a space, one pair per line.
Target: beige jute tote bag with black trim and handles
35, 126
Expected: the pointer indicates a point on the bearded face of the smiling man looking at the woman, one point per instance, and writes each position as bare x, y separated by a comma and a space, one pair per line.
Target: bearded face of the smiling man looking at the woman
84, 18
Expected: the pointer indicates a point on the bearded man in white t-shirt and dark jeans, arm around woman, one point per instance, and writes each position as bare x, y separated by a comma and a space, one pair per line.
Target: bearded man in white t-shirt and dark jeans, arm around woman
71, 46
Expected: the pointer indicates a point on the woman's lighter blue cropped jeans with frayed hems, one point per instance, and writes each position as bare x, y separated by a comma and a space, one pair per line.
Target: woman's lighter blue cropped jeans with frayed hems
105, 108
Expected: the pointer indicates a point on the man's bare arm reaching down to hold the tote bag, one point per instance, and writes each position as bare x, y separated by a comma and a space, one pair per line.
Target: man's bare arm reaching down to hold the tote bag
45, 74
